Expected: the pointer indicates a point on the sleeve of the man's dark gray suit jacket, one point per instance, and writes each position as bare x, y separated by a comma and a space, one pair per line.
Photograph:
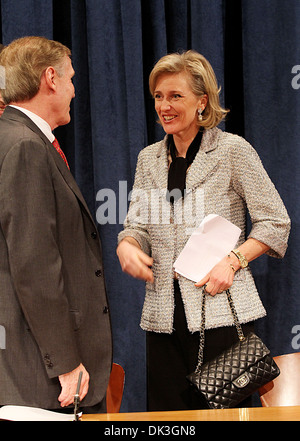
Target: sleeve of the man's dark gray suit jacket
28, 219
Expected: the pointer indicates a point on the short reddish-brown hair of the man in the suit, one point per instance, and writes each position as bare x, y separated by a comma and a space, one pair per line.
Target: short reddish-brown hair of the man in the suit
25, 61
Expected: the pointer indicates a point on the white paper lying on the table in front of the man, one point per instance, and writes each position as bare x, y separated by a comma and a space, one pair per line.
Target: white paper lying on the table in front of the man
25, 413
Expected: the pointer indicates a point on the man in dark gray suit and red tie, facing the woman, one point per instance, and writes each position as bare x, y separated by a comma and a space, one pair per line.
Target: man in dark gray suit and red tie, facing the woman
53, 300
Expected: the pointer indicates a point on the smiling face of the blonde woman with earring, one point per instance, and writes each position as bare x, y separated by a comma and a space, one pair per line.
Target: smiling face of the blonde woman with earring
176, 105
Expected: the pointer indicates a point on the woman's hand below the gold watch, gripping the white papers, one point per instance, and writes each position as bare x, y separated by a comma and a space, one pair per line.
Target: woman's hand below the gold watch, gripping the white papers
219, 278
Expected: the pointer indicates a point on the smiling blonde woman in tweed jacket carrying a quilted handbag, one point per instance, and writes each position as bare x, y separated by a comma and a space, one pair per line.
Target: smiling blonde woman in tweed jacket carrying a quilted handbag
195, 158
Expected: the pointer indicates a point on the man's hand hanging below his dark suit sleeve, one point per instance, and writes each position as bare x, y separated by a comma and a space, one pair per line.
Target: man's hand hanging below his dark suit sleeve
69, 385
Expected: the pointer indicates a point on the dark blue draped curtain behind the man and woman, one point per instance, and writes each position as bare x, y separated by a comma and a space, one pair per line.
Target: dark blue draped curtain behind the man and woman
253, 46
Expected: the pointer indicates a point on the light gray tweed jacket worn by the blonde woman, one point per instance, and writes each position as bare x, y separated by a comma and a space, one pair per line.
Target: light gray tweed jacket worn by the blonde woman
226, 178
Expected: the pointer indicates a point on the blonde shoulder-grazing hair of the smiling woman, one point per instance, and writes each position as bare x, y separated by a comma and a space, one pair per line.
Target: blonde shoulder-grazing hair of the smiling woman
202, 81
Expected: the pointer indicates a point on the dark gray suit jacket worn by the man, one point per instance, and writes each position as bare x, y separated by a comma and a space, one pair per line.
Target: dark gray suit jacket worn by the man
52, 292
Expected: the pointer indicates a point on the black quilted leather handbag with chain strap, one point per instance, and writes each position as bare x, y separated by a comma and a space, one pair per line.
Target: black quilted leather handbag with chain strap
237, 372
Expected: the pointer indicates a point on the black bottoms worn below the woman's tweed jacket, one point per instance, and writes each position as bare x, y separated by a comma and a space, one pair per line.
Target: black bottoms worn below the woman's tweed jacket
171, 357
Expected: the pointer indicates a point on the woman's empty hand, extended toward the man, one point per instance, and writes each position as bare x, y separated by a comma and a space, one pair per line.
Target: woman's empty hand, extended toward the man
134, 261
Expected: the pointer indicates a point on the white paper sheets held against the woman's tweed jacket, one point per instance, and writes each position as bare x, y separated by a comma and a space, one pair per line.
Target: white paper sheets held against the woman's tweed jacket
208, 244
